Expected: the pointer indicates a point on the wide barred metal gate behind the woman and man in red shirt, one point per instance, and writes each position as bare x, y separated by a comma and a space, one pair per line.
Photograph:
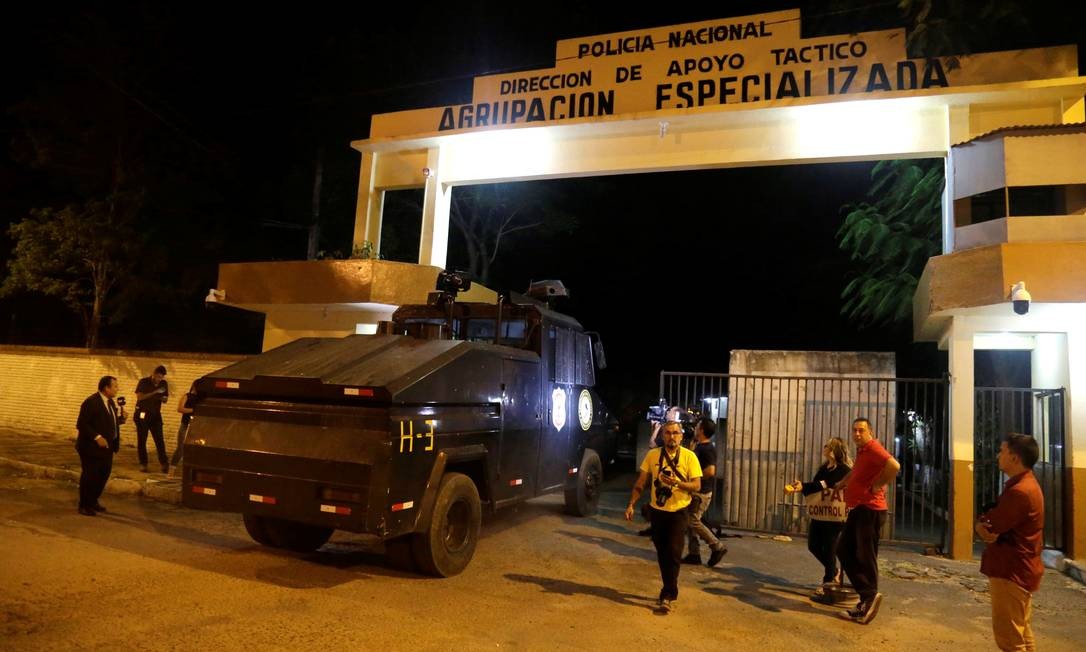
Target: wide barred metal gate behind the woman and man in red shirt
775, 428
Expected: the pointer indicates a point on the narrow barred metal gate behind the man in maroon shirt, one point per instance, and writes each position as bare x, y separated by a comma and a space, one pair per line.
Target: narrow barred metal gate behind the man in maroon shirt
1037, 412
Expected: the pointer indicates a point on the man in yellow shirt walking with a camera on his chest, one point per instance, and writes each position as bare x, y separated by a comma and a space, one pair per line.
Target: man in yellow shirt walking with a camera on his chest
676, 475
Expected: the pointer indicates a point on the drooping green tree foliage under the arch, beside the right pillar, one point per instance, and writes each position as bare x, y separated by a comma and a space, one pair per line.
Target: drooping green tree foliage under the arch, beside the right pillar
891, 236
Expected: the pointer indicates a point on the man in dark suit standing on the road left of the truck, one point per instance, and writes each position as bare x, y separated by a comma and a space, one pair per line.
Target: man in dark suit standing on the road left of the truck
99, 437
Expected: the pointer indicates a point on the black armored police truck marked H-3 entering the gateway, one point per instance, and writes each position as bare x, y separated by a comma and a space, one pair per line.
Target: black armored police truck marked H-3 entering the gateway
407, 435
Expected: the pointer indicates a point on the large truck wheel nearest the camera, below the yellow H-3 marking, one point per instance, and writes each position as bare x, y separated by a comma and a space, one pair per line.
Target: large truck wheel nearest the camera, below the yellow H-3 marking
447, 547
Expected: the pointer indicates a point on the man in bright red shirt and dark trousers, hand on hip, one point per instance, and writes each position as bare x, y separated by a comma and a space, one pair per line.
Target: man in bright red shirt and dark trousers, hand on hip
866, 499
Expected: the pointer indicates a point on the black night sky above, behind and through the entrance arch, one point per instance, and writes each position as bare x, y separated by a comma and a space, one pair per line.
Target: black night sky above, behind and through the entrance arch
674, 270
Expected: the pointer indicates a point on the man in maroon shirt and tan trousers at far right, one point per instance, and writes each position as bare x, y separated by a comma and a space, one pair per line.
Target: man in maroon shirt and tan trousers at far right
1013, 530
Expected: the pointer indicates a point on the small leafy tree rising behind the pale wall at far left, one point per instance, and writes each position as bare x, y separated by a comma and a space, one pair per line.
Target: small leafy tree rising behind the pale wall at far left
78, 254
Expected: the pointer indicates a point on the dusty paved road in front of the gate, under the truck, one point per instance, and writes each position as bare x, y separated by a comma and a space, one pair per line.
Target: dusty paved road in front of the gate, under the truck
155, 576
